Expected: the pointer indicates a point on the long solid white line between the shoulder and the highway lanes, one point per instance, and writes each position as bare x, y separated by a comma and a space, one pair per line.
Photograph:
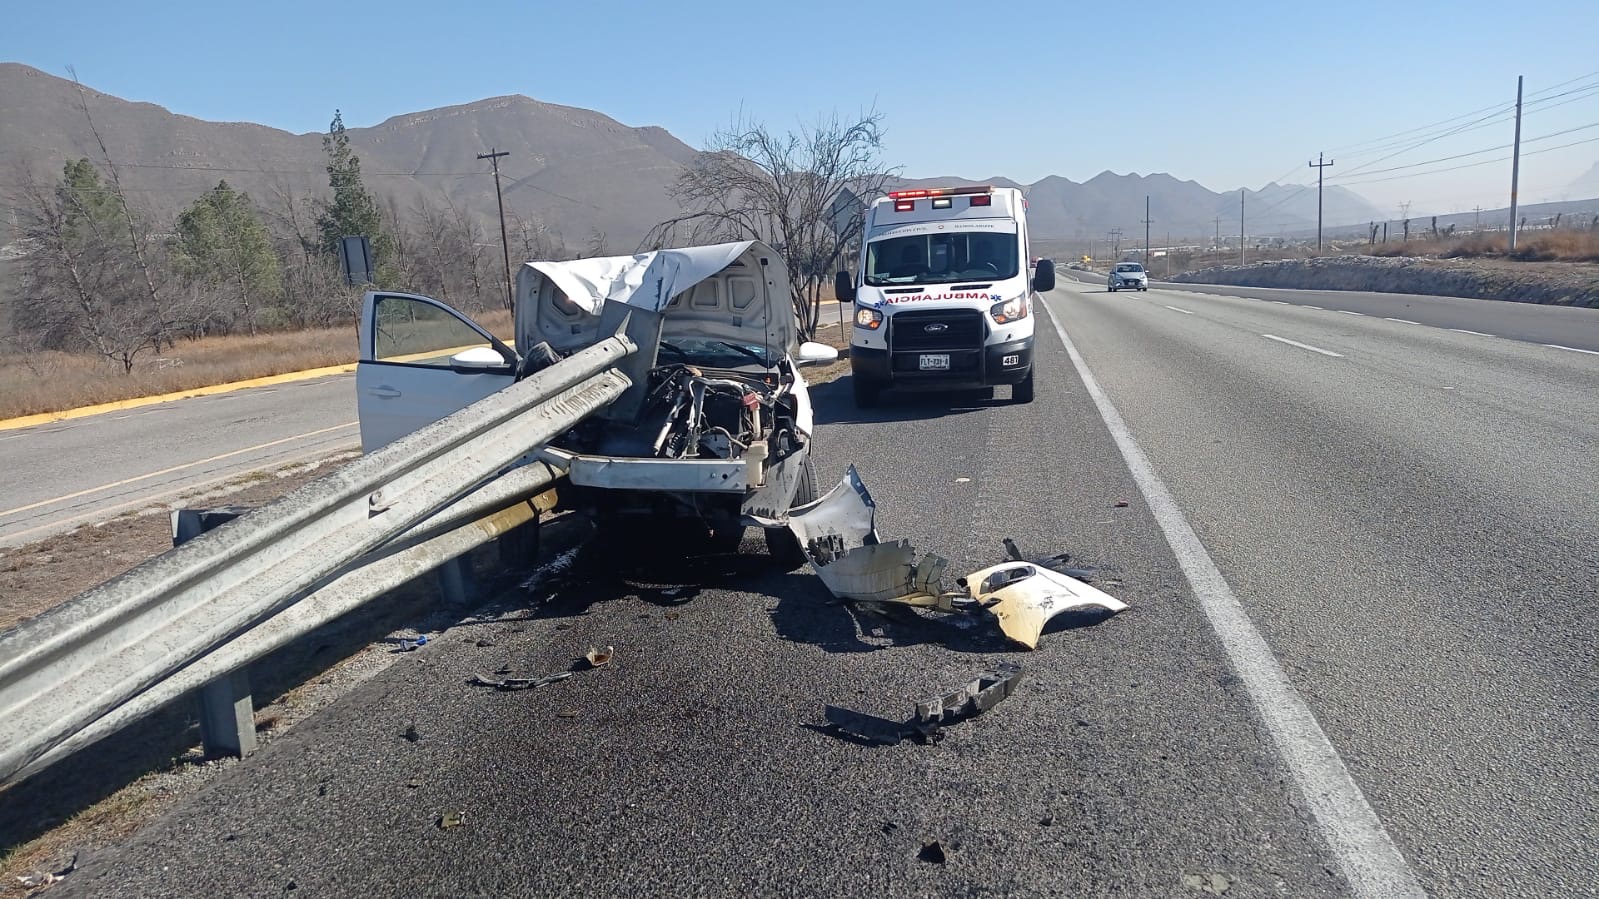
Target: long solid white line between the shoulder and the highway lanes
1365, 850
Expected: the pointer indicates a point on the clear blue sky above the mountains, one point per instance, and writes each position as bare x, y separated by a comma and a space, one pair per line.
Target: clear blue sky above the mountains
1224, 94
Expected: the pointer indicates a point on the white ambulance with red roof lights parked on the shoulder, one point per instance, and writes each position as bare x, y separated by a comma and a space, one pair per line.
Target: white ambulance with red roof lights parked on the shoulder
944, 298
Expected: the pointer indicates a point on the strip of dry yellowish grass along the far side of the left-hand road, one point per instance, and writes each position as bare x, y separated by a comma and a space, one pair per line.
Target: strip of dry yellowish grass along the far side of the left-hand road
55, 382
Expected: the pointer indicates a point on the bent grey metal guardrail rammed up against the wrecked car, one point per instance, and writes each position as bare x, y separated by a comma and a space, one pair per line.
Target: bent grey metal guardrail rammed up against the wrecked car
105, 658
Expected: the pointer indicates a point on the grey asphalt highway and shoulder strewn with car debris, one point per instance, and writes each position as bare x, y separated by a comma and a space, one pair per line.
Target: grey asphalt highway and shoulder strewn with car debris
1360, 658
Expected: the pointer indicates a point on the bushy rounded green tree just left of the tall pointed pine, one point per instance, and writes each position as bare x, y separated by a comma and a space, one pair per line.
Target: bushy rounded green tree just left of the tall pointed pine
223, 244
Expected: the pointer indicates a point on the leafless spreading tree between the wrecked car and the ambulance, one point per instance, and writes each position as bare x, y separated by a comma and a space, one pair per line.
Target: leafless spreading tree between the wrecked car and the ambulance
754, 183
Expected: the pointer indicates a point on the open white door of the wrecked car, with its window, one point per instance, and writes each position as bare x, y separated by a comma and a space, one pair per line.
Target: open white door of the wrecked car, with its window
420, 362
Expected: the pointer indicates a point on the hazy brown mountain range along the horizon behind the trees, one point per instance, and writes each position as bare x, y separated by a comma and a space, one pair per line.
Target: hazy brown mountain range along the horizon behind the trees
575, 174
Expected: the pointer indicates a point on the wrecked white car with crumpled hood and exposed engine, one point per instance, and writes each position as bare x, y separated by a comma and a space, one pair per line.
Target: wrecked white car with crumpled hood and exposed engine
717, 426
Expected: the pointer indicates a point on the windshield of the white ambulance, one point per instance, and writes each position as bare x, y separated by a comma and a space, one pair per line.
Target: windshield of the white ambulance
943, 258
